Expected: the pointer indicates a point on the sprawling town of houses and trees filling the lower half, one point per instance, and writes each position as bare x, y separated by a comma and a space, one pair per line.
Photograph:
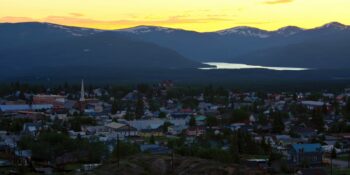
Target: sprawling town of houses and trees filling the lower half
150, 128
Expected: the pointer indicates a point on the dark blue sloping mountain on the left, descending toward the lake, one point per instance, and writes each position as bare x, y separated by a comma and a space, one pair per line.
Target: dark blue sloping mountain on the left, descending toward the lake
35, 48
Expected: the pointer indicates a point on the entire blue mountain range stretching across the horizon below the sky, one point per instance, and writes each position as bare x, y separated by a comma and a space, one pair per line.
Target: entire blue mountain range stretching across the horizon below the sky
35, 49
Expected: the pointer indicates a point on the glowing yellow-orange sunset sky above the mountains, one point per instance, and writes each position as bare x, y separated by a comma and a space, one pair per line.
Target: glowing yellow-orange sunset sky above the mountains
197, 15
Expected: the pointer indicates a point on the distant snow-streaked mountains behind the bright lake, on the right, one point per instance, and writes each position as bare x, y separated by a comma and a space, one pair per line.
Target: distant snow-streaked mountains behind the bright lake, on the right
321, 47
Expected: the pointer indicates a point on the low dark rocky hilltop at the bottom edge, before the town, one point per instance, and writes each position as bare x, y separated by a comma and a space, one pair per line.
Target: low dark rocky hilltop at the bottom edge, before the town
161, 165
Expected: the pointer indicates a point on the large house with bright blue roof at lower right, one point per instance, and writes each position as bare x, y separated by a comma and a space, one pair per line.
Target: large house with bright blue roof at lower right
310, 154
